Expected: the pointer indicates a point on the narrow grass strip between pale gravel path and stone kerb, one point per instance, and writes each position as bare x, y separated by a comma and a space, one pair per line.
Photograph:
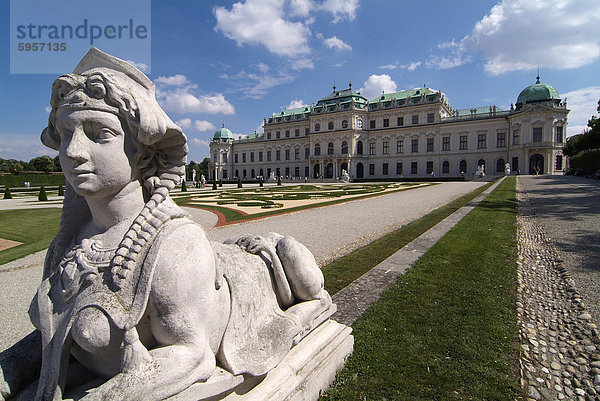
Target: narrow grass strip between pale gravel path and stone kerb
348, 268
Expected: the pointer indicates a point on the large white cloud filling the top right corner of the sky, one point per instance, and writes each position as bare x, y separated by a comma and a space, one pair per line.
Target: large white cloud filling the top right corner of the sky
522, 34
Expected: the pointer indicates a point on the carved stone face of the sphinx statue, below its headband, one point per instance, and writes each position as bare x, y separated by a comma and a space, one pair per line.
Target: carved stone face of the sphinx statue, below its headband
93, 152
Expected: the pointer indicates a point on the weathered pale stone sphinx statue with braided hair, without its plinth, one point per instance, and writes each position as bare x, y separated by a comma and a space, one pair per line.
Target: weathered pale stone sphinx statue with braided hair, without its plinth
135, 302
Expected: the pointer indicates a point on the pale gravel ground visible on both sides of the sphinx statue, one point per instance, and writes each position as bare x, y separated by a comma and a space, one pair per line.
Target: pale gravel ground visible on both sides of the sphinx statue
329, 232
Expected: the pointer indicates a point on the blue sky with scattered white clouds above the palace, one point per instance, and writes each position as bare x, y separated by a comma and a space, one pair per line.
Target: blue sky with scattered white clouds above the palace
239, 62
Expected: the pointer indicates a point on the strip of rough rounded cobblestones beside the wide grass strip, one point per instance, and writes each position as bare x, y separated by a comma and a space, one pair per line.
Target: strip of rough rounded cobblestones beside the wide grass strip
560, 358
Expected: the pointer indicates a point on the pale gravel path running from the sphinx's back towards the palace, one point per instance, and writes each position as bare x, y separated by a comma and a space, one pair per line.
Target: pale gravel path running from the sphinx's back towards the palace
333, 231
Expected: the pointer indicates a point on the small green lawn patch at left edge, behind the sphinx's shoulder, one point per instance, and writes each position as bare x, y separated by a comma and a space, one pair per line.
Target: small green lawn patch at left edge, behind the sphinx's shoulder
35, 228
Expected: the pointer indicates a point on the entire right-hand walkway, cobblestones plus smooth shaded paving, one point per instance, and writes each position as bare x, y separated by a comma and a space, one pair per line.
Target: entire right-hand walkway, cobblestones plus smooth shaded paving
557, 301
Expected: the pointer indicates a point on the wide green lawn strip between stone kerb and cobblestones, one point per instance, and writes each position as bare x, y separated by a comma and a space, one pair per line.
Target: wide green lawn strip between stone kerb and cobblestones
447, 329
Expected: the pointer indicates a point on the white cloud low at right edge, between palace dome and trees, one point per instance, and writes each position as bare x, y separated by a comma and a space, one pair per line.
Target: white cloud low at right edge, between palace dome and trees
583, 104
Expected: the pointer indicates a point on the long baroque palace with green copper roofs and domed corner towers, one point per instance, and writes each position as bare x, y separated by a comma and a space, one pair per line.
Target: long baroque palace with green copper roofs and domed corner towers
413, 133
